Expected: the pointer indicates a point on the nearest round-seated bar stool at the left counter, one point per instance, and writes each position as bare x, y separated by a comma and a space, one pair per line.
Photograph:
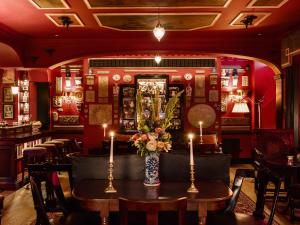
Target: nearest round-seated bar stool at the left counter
33, 155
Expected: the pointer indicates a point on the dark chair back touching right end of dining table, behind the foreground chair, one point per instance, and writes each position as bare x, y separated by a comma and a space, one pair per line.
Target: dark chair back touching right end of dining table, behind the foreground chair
240, 174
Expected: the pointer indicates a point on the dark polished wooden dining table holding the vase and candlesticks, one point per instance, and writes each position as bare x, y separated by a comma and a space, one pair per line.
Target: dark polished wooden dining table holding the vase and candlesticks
90, 195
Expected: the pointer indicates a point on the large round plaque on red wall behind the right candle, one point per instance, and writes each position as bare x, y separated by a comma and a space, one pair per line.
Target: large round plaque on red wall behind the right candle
201, 112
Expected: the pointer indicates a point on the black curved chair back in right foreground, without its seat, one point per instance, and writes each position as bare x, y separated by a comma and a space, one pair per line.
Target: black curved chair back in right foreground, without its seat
265, 176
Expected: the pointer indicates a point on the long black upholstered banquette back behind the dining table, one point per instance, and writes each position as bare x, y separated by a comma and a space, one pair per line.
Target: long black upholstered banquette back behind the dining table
173, 167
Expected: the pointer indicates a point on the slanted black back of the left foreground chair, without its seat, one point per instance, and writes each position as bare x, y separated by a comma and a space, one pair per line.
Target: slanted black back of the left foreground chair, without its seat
39, 206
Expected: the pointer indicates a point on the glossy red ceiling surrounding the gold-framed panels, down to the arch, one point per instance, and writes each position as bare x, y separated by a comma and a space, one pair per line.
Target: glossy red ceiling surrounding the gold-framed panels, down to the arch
30, 32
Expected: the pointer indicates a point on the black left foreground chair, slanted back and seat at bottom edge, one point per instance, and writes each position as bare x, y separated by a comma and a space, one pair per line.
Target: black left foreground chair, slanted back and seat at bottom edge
71, 219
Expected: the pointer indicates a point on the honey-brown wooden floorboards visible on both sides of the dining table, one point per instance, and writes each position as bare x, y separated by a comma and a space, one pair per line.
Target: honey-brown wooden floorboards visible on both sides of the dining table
18, 206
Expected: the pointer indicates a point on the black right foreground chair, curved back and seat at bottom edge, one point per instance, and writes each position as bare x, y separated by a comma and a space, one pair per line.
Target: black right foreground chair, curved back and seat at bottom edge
231, 218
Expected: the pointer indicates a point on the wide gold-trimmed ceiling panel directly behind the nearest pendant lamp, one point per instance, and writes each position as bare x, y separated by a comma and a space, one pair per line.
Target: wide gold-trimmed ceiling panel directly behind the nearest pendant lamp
143, 22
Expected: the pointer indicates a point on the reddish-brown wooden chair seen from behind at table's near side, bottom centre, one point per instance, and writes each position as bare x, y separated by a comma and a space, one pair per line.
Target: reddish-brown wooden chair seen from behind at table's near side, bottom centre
152, 209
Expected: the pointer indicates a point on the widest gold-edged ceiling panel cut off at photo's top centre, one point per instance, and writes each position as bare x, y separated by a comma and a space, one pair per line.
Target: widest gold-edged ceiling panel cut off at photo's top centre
166, 3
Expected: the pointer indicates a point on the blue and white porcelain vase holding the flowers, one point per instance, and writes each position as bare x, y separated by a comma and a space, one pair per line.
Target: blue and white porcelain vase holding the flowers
152, 169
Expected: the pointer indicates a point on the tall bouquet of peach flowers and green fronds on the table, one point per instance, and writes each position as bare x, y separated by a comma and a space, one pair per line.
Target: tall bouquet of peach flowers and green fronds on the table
152, 123
